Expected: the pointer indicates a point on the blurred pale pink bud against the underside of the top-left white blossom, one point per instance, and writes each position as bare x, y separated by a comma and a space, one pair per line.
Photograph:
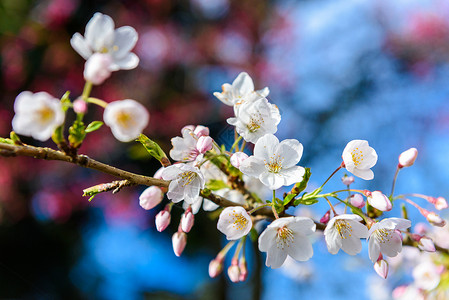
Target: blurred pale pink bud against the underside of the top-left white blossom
97, 68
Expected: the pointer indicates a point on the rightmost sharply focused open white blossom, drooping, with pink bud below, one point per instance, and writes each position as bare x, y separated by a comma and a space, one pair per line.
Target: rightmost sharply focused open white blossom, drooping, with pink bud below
385, 237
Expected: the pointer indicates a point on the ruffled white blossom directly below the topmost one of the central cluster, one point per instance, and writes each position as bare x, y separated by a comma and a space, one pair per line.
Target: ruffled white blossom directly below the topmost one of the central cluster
254, 119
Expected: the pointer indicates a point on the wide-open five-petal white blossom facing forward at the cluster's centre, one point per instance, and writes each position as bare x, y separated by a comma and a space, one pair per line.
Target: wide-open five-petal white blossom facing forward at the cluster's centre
274, 162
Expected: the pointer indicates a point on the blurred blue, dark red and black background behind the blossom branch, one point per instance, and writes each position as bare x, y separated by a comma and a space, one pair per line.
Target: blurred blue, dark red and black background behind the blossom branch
337, 69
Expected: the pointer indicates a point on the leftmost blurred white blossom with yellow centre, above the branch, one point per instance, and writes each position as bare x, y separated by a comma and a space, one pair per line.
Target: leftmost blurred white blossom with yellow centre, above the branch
37, 115
